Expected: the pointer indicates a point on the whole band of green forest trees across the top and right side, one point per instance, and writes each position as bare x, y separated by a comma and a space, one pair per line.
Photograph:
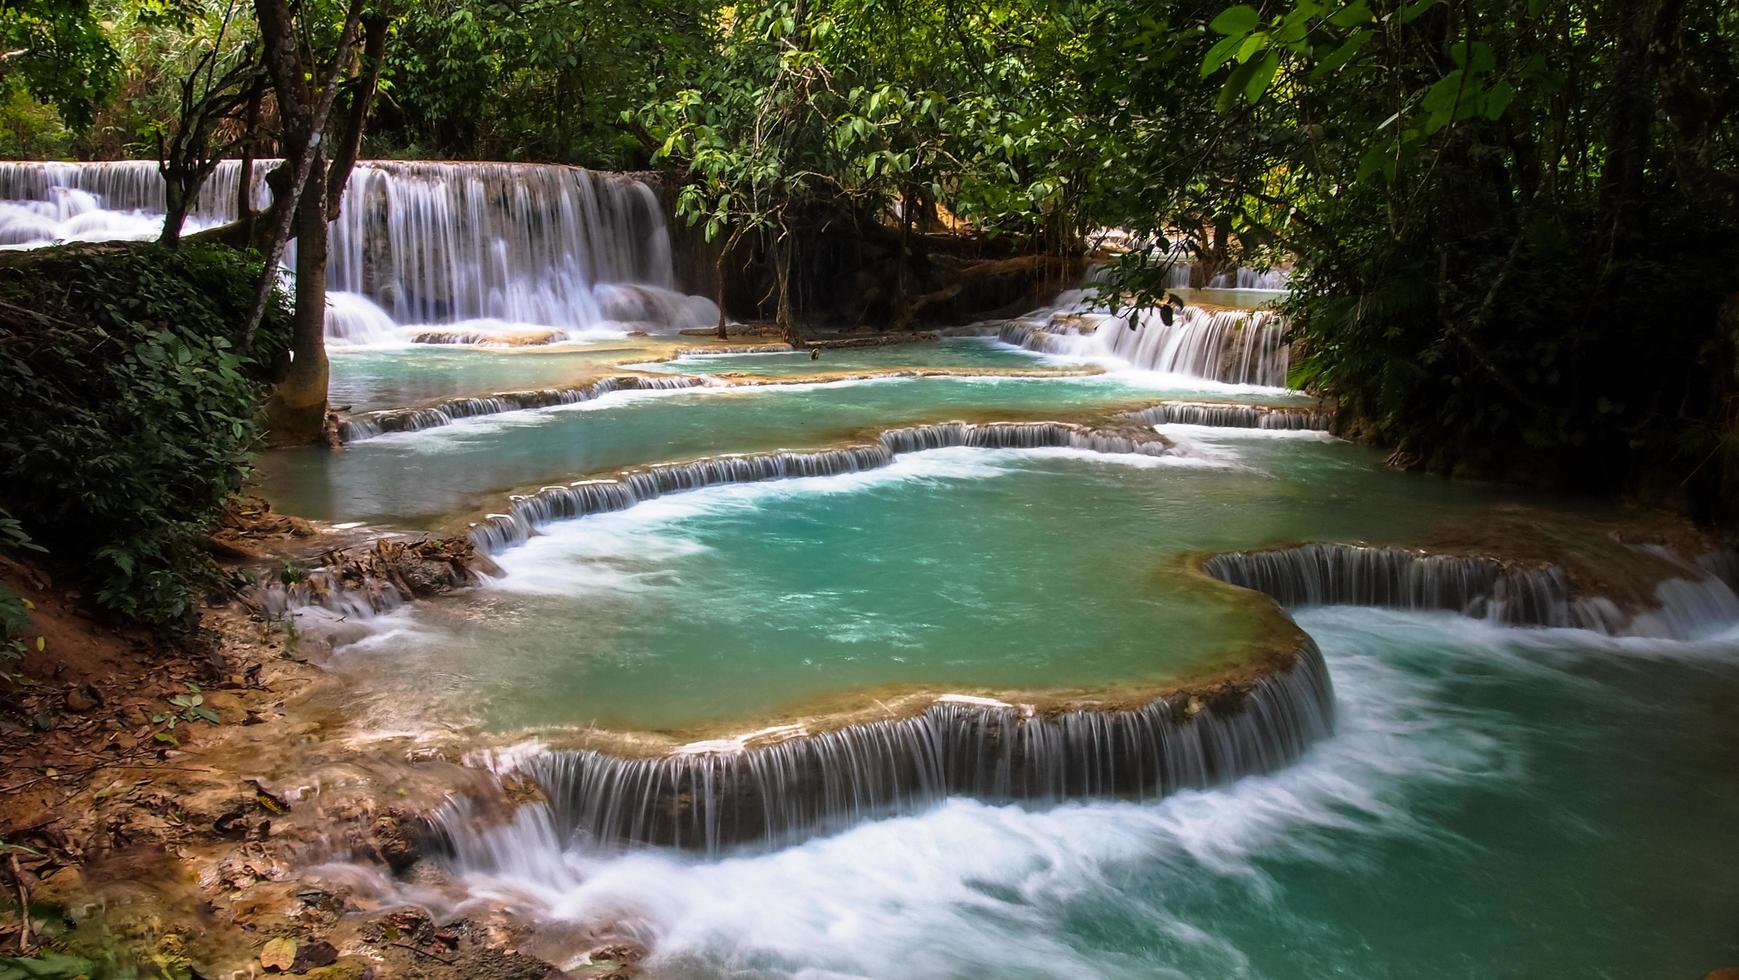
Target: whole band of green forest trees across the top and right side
1512, 223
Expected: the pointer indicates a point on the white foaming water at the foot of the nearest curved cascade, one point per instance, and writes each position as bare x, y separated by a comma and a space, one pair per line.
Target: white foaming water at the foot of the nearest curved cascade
976, 891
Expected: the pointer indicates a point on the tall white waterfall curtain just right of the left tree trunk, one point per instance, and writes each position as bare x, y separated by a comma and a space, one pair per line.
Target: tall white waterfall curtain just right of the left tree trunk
512, 244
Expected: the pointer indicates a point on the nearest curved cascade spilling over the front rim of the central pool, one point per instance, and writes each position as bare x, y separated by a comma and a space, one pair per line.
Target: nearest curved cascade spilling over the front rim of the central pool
723, 795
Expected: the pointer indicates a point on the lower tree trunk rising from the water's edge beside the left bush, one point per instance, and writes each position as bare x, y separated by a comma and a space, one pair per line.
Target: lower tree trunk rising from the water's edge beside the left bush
296, 411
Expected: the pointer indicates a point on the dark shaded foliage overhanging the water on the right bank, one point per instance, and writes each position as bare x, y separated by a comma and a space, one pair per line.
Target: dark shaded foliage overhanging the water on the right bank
1516, 227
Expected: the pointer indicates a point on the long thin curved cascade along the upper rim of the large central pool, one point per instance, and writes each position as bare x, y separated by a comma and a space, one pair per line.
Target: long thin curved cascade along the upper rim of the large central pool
533, 512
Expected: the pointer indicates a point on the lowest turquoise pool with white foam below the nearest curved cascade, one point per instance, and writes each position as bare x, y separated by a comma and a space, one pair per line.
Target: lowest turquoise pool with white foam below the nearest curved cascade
1493, 805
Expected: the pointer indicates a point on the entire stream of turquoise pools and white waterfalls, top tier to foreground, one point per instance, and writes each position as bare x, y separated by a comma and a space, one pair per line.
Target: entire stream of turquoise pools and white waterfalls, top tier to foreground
730, 595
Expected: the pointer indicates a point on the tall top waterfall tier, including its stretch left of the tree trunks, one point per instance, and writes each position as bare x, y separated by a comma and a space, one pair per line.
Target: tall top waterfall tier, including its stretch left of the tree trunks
490, 246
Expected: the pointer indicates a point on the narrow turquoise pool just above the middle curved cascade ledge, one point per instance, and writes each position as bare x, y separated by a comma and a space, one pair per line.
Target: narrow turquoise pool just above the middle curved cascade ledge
467, 467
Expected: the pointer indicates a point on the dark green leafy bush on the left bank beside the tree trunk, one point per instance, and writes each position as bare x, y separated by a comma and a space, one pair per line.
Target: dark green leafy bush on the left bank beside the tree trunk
133, 411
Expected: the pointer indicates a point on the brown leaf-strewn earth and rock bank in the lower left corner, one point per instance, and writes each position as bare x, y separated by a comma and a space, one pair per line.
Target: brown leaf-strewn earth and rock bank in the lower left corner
180, 844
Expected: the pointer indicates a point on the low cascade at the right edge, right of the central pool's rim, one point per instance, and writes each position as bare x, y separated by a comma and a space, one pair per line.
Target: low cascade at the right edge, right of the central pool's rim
1479, 588
